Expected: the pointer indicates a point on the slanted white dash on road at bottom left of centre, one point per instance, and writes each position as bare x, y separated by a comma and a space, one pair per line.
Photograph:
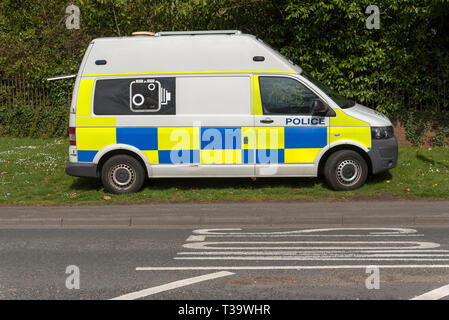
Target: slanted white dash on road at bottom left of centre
172, 285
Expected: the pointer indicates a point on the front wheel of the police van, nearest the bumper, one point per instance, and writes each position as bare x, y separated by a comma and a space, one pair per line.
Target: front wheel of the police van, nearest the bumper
345, 170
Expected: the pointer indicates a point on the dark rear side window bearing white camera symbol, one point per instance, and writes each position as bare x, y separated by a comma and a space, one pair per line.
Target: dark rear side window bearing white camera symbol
135, 96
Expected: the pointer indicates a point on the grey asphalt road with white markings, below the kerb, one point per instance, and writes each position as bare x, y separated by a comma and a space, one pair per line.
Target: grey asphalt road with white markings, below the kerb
242, 263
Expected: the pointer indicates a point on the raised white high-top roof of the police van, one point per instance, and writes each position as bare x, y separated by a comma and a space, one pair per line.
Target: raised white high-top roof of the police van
184, 52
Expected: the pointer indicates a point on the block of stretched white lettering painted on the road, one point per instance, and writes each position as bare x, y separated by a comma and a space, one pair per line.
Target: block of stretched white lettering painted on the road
199, 249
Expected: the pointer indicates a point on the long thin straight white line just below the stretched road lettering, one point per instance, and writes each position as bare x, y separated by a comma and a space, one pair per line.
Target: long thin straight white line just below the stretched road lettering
397, 266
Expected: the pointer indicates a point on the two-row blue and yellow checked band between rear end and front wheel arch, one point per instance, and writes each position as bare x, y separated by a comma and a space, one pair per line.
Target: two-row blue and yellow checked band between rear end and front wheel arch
209, 145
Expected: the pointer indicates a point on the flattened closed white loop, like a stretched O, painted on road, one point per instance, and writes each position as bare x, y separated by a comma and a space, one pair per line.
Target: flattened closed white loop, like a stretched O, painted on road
270, 245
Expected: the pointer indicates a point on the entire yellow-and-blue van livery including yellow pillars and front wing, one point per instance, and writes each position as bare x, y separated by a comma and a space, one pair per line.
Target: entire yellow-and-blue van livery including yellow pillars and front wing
300, 143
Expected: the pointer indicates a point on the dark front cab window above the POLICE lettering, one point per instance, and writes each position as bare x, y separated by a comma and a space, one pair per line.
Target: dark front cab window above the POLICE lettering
285, 96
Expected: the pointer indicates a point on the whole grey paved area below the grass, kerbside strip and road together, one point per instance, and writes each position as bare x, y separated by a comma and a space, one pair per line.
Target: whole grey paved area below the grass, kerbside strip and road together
234, 251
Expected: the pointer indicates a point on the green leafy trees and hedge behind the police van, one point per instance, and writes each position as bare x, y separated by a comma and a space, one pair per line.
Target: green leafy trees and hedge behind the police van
402, 69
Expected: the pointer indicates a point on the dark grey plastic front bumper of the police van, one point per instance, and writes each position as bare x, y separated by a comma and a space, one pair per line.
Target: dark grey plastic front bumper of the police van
383, 154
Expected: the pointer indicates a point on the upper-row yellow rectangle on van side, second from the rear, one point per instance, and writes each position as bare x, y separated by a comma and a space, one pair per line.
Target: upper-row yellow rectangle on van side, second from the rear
182, 138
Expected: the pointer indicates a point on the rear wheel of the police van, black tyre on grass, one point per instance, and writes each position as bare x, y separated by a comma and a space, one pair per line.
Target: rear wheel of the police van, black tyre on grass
122, 174
